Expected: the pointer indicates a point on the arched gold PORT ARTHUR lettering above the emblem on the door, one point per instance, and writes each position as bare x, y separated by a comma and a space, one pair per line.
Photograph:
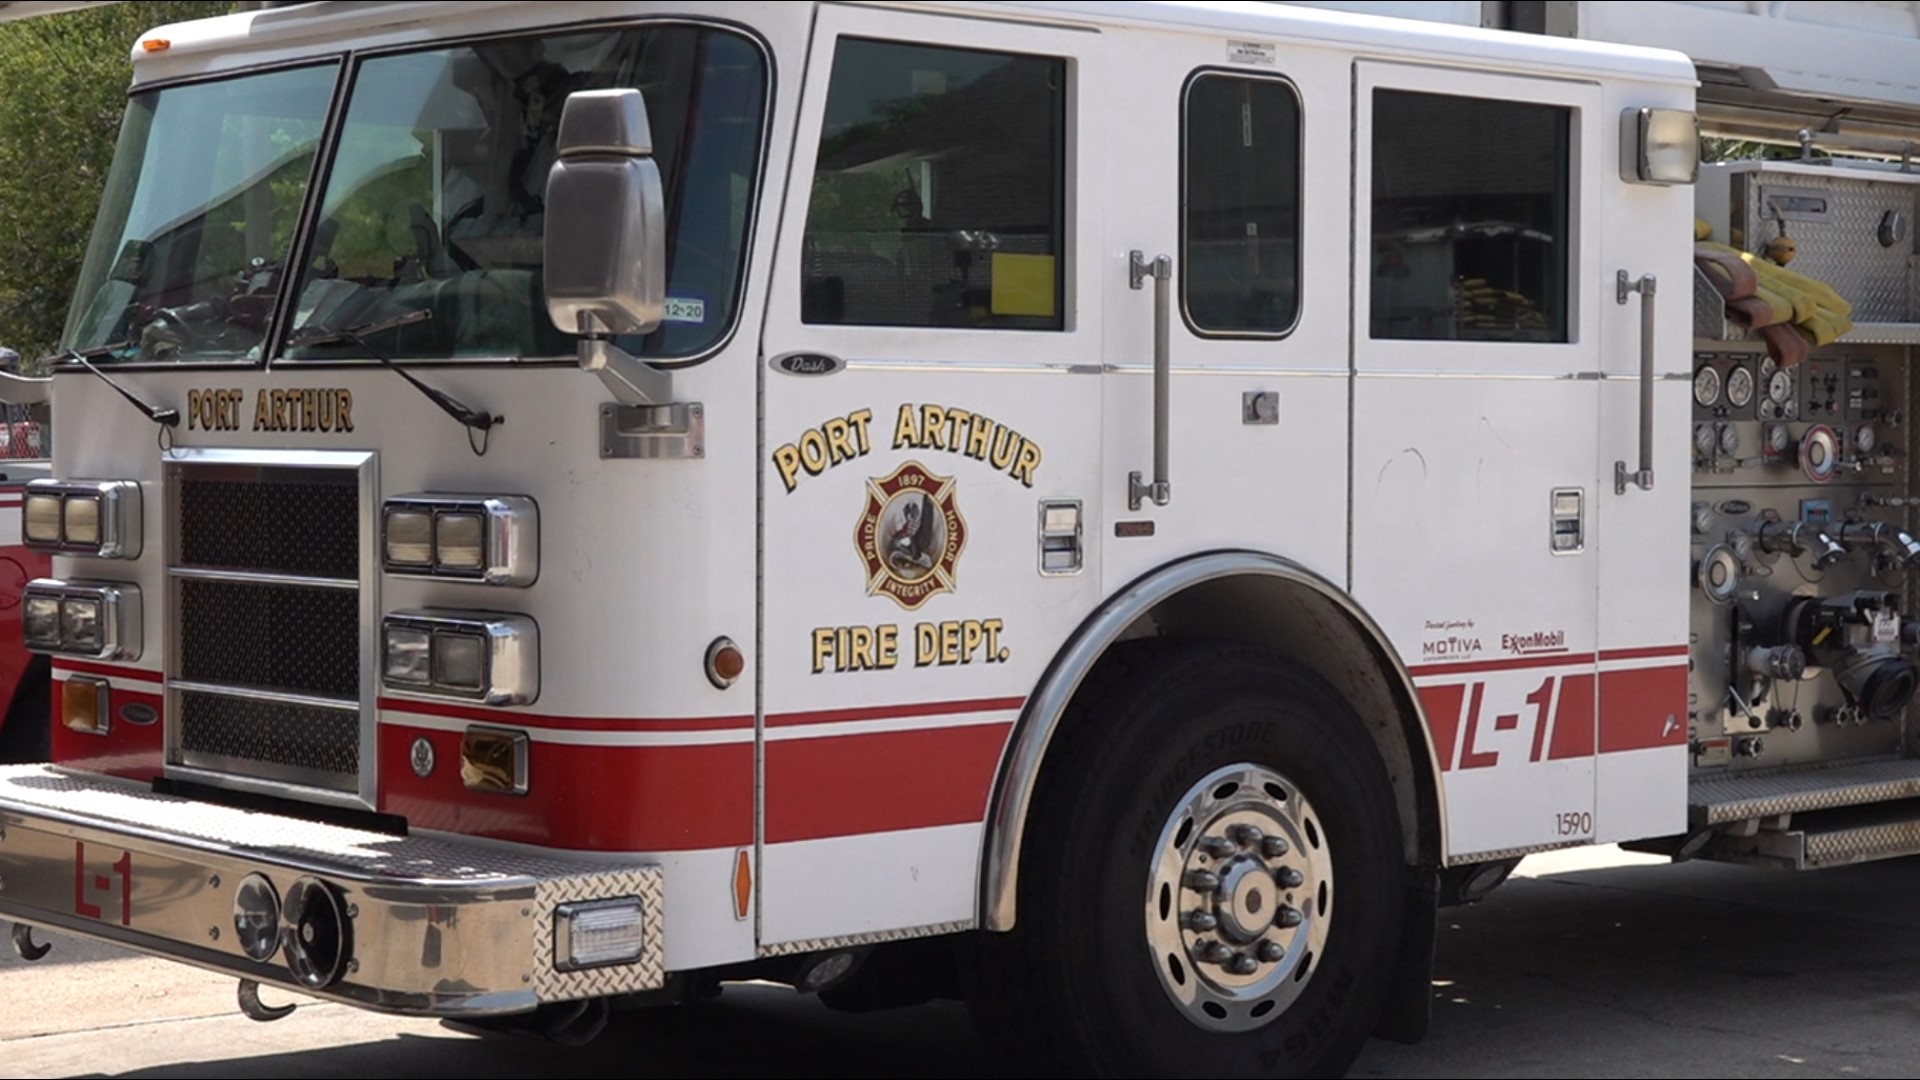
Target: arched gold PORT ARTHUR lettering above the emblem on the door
915, 428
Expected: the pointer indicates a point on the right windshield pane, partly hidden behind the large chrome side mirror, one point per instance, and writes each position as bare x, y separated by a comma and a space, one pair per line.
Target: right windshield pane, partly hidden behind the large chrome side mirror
435, 201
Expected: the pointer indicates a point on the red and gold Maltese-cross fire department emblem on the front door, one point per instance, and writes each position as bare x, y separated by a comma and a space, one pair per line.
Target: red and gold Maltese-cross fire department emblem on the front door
911, 535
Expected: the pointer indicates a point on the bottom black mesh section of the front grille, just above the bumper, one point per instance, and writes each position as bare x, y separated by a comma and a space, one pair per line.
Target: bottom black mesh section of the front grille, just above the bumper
289, 737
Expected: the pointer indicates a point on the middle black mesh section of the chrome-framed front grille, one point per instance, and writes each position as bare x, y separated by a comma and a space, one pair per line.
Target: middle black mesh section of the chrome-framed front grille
274, 637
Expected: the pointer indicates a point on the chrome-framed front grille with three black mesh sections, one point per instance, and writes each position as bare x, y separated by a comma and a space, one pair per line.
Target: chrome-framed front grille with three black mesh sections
270, 616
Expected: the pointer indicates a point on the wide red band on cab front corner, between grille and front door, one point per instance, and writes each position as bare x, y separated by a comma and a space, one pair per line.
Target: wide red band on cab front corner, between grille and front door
583, 798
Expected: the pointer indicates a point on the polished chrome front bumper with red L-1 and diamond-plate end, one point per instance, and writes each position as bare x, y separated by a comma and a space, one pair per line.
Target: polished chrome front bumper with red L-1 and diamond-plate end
437, 927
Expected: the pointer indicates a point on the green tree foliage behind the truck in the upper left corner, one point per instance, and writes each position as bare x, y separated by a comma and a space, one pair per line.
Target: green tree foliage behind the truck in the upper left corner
62, 93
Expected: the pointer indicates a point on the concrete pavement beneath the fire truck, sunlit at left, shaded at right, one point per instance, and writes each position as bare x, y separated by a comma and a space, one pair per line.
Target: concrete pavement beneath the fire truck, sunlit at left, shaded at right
1589, 964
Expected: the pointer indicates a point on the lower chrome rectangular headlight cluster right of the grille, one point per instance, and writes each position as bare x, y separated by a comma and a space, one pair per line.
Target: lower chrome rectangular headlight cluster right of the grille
477, 656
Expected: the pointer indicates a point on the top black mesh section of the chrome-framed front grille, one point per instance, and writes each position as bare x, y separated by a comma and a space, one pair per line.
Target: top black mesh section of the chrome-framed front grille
299, 522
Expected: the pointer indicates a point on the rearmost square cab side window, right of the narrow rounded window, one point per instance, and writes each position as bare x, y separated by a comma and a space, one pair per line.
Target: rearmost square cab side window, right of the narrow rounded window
1470, 218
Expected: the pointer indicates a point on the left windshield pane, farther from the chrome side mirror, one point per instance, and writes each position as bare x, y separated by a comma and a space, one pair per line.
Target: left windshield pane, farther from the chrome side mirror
199, 216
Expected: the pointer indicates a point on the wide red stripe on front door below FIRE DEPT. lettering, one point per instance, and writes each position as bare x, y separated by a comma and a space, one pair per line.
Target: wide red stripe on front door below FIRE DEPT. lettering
882, 781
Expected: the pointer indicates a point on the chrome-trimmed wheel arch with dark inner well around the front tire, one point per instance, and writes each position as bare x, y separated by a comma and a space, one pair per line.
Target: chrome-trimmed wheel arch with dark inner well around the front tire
1236, 597
